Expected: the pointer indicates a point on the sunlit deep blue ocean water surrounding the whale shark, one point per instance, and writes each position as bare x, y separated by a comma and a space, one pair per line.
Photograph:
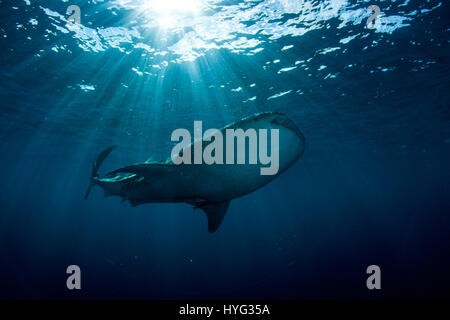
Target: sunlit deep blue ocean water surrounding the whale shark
371, 188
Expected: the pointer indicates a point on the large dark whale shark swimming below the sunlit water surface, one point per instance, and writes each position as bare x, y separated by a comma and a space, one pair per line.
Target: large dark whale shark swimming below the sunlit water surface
209, 187
